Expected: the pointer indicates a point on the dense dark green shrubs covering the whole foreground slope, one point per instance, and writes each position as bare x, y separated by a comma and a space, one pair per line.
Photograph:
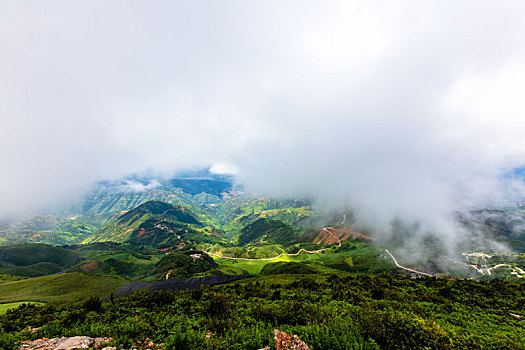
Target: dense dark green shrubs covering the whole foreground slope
326, 311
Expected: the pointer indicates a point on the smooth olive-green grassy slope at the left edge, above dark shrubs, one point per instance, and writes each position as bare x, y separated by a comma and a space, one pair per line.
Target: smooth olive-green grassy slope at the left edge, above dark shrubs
60, 288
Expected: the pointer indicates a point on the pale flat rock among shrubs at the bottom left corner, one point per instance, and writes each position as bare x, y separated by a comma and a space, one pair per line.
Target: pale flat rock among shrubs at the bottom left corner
65, 343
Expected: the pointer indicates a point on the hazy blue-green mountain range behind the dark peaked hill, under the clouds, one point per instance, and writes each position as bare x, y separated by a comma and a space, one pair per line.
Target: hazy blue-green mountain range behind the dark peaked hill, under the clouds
213, 200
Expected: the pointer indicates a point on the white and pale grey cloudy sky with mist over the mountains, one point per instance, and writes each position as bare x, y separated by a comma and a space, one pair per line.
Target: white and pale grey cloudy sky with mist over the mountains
396, 108
